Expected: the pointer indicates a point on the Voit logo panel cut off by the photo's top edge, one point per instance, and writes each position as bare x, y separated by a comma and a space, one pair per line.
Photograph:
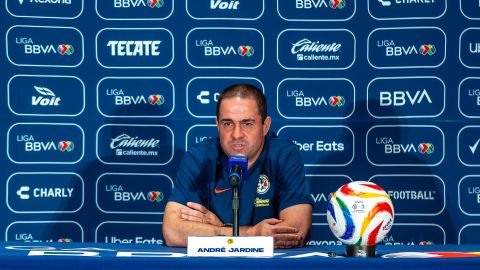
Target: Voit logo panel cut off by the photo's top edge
225, 9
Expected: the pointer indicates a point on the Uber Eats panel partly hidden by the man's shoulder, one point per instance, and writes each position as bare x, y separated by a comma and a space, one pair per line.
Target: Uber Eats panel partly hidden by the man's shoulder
321, 148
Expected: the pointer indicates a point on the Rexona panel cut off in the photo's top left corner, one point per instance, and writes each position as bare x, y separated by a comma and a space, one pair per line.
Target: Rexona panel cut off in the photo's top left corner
58, 9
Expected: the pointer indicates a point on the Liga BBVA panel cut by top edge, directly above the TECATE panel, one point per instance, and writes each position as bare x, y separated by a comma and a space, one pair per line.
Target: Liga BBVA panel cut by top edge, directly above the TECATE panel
134, 9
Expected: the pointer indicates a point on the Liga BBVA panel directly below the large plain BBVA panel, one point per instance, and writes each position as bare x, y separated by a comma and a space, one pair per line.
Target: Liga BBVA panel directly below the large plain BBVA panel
423, 147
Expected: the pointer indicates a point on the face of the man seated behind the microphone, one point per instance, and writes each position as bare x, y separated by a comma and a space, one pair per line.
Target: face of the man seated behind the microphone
240, 128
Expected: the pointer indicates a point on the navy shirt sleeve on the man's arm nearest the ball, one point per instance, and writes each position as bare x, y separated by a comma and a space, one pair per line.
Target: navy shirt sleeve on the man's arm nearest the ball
293, 187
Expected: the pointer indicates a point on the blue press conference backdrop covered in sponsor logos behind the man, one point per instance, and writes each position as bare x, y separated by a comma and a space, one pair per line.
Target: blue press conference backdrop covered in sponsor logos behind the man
101, 98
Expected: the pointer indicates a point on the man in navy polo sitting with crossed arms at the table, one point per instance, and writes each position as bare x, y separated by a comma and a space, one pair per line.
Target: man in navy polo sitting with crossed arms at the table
274, 199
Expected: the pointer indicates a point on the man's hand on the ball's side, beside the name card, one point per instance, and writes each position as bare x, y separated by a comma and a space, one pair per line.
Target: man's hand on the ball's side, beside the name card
283, 236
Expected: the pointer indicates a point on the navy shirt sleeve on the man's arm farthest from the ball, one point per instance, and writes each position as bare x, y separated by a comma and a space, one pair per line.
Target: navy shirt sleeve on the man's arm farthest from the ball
187, 184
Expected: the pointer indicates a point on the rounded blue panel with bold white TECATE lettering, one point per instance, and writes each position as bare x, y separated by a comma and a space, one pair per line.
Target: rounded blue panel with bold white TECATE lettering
134, 48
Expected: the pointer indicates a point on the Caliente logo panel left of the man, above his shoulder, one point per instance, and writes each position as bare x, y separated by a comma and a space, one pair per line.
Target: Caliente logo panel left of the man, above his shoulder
135, 144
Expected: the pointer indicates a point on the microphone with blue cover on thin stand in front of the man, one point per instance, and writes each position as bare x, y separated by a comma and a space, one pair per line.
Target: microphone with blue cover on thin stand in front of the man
237, 170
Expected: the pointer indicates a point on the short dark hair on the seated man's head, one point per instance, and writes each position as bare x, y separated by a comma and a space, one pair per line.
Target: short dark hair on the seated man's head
244, 90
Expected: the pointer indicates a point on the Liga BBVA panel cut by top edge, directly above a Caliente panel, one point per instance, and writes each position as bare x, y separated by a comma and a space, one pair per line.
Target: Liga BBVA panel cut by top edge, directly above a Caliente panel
316, 10
